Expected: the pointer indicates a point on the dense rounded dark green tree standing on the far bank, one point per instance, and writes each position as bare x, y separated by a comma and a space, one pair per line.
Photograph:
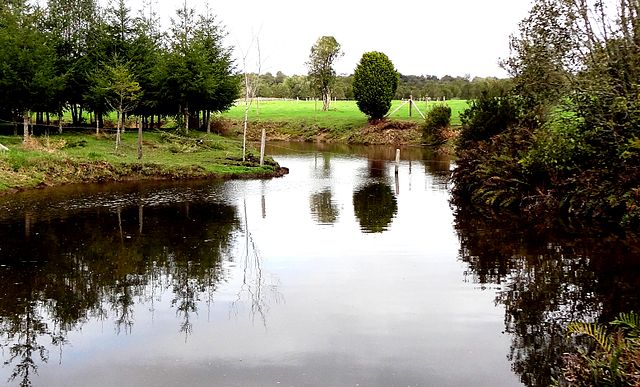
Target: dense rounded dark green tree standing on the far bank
375, 81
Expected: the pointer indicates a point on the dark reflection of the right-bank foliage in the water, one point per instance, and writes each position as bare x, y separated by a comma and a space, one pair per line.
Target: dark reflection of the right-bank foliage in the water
546, 278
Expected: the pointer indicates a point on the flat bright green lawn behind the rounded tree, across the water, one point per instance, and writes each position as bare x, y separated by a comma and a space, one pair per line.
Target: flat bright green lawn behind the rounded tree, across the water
341, 115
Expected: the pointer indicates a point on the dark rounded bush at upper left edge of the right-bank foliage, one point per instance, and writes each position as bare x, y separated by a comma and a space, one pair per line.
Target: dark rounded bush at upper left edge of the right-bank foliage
487, 117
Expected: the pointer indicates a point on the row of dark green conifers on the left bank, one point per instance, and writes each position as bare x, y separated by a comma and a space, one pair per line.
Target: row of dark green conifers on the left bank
75, 56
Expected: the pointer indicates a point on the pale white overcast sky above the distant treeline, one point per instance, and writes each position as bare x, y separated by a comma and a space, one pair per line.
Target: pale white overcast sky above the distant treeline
430, 37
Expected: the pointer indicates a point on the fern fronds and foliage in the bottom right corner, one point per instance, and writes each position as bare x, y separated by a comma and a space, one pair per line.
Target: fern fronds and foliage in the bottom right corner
615, 359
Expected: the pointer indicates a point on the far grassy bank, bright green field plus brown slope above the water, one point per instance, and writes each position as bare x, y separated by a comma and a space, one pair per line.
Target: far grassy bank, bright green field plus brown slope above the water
305, 120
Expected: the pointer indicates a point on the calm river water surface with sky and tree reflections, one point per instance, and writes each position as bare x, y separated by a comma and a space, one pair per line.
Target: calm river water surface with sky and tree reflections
338, 274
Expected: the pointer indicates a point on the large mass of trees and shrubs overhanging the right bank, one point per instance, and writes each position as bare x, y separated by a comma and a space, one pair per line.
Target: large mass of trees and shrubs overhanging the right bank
575, 107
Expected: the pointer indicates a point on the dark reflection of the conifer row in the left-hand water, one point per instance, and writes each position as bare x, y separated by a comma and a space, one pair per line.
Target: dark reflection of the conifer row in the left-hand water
58, 273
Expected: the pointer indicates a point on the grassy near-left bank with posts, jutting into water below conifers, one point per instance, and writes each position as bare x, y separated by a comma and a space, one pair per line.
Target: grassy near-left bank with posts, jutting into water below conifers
76, 158
